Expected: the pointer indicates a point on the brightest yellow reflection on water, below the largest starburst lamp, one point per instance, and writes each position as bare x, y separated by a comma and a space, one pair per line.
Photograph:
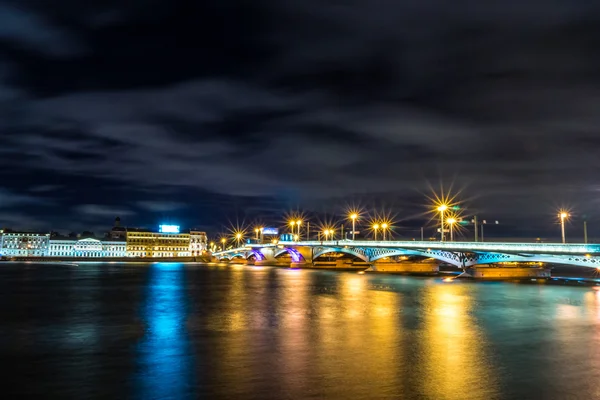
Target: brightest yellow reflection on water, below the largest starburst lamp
456, 365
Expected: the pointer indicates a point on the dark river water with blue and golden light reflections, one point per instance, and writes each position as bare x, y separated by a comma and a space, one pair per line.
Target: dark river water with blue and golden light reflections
174, 331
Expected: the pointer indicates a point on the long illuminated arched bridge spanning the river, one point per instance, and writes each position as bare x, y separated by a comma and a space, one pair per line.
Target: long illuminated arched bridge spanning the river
460, 254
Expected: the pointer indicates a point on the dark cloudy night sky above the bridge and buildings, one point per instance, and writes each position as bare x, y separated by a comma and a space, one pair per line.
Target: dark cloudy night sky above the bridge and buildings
204, 112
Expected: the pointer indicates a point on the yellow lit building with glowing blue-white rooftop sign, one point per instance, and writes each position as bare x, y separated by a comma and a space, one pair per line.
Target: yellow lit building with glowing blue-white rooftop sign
169, 242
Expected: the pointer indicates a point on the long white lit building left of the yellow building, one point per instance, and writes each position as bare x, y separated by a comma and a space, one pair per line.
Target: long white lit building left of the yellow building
87, 248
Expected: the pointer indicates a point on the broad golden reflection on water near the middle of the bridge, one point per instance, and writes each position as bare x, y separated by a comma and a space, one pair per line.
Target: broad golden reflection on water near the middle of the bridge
356, 322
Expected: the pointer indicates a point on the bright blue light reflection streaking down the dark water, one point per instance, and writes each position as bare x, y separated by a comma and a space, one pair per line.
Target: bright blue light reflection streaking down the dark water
165, 354
